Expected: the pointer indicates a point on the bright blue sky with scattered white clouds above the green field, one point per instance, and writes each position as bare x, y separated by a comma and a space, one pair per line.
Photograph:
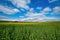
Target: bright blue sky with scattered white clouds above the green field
30, 10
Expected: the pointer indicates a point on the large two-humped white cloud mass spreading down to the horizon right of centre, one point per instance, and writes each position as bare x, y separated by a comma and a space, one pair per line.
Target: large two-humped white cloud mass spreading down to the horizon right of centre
39, 17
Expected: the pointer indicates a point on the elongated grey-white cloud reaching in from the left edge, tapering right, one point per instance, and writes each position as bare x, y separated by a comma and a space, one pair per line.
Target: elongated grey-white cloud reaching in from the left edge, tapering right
8, 10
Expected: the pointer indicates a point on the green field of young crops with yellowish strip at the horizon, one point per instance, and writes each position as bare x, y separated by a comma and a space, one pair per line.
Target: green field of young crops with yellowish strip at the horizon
30, 31
